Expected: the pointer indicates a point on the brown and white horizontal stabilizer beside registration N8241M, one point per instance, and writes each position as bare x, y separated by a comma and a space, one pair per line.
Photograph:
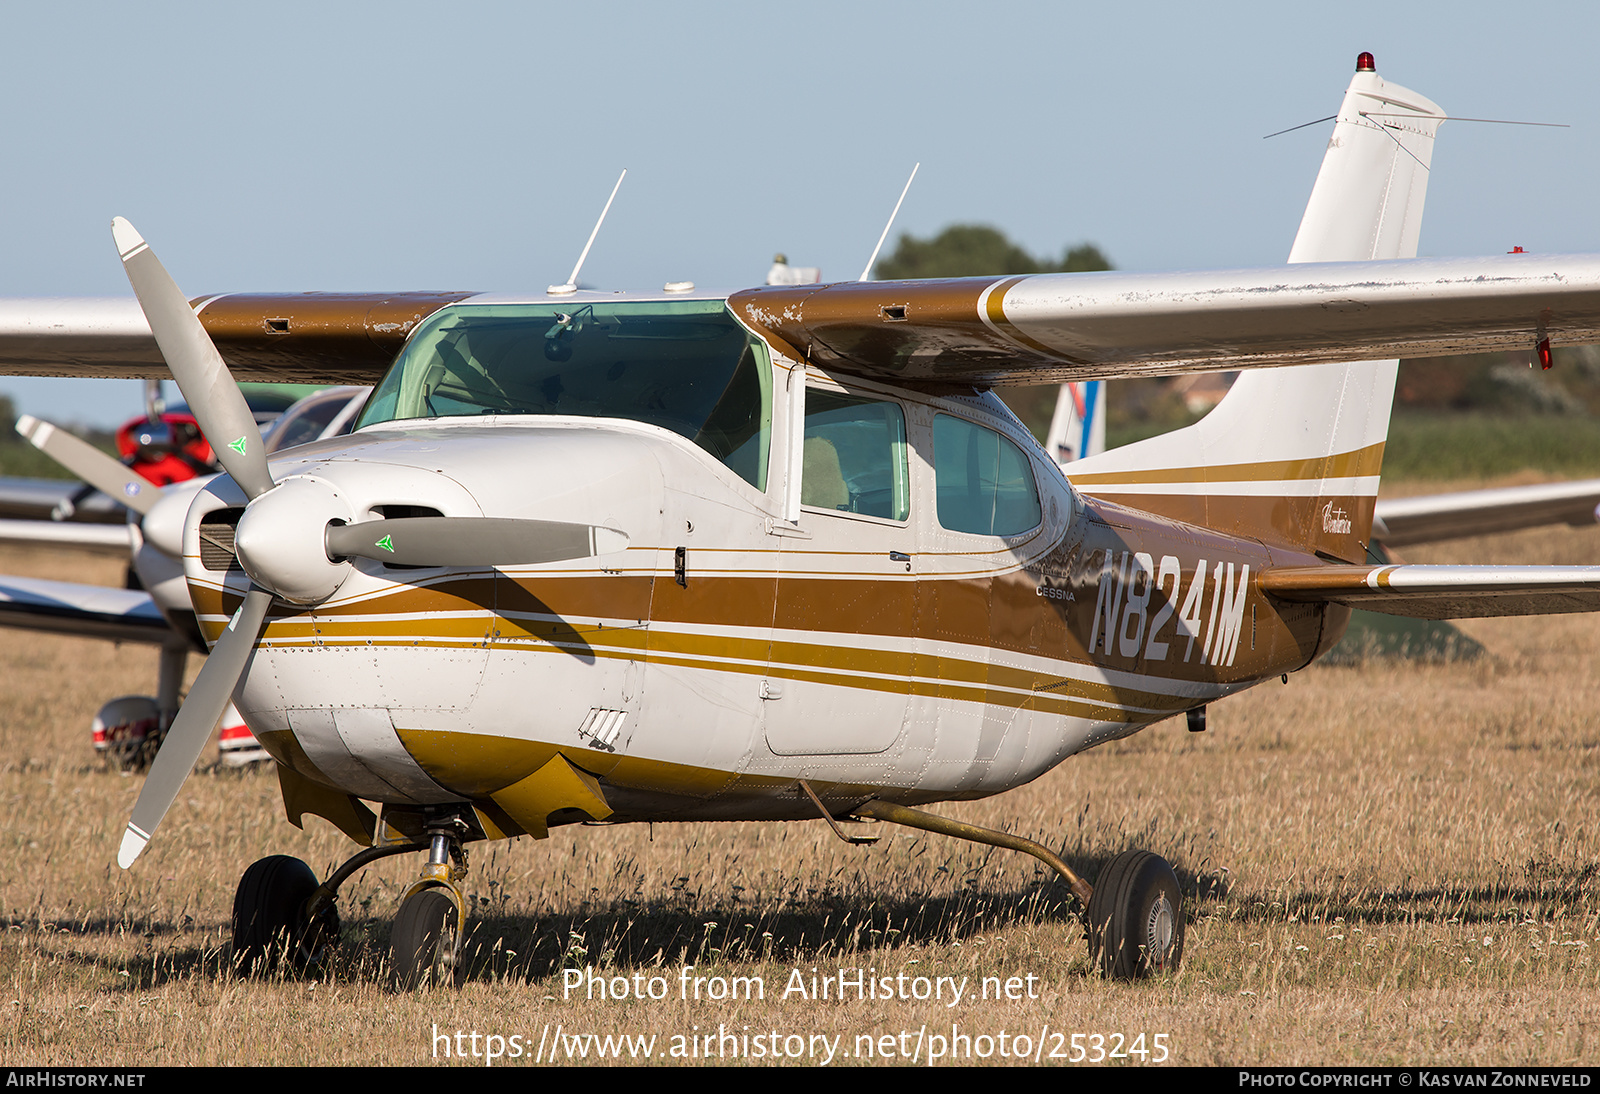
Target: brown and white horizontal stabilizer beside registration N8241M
1442, 593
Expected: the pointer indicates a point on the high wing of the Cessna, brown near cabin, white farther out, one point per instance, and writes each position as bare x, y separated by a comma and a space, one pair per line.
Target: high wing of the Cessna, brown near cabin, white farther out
986, 332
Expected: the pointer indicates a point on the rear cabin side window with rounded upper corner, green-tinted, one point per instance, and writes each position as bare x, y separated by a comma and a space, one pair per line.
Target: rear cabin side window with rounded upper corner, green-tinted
985, 482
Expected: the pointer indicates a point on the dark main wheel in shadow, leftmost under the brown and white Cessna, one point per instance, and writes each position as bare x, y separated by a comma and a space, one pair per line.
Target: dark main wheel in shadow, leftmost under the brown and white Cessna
271, 924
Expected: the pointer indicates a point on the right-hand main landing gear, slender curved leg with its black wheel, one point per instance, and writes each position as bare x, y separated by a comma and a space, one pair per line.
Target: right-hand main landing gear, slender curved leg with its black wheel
1135, 912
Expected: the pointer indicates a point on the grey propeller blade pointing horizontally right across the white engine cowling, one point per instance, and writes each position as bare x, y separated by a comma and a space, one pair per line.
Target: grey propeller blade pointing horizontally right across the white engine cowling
471, 541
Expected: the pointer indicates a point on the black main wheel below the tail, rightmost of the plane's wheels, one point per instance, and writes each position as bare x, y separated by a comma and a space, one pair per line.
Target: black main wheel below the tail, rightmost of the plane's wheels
1137, 917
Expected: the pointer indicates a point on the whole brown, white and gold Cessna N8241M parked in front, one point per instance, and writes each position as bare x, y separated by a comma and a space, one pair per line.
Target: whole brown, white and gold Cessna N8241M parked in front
783, 554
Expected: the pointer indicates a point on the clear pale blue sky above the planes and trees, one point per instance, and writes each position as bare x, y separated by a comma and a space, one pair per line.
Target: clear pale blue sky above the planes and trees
361, 146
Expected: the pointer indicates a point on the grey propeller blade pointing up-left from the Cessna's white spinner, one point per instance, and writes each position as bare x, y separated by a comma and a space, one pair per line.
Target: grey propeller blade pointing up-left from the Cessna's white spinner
209, 388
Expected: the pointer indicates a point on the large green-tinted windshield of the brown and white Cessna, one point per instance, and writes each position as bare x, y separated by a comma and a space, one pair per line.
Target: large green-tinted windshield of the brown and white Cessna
682, 365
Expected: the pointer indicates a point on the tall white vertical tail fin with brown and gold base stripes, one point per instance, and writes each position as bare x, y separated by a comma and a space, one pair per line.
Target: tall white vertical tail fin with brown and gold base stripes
1292, 455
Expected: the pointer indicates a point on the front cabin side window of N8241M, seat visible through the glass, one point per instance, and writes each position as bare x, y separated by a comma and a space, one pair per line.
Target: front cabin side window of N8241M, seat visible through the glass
855, 457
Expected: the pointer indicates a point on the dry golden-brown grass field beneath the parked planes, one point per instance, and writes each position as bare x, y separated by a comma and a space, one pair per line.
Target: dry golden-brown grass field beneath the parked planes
1390, 863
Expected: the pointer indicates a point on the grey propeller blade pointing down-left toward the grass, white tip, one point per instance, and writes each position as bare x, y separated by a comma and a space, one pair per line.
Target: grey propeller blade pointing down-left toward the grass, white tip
196, 719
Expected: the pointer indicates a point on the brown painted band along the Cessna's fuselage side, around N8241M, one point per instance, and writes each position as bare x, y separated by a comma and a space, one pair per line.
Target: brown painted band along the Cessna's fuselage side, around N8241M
1047, 610
